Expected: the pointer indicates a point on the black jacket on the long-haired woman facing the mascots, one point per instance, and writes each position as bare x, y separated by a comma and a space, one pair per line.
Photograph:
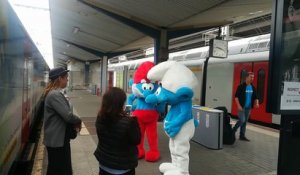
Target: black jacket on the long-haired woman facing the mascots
117, 146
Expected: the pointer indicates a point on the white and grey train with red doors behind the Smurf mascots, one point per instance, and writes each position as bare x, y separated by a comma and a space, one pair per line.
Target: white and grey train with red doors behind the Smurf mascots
223, 75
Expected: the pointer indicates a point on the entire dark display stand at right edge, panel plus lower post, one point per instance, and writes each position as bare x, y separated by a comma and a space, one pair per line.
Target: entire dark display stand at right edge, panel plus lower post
283, 91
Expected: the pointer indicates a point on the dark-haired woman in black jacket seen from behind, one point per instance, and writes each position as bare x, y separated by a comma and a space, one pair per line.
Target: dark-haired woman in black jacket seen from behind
118, 136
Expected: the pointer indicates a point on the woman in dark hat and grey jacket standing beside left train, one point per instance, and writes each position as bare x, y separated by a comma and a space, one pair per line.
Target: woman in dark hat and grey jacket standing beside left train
58, 118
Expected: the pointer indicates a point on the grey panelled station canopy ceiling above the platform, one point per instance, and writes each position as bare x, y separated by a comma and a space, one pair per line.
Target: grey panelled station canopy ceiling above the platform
82, 28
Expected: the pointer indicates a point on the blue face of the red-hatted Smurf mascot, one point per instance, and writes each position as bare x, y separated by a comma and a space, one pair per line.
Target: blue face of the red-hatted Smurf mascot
142, 90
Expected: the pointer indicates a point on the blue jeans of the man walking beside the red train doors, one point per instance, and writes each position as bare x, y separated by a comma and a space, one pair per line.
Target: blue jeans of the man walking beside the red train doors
242, 122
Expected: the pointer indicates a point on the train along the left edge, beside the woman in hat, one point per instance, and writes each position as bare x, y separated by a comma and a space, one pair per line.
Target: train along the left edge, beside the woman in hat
22, 70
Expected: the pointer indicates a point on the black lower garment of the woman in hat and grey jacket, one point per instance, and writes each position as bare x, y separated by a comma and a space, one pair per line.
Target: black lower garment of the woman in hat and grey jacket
59, 160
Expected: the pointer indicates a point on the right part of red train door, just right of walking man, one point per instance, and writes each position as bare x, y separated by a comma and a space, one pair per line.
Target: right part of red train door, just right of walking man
260, 70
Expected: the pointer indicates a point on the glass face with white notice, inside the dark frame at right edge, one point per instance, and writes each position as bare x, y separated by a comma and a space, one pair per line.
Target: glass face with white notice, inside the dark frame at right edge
290, 96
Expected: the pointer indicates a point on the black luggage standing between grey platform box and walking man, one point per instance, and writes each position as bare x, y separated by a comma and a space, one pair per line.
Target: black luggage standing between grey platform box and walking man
228, 133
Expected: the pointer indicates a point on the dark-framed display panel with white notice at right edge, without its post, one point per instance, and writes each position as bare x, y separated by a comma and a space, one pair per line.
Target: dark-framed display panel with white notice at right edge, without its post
284, 87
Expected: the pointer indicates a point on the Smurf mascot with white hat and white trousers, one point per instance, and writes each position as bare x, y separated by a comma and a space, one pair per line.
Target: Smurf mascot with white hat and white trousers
178, 83
